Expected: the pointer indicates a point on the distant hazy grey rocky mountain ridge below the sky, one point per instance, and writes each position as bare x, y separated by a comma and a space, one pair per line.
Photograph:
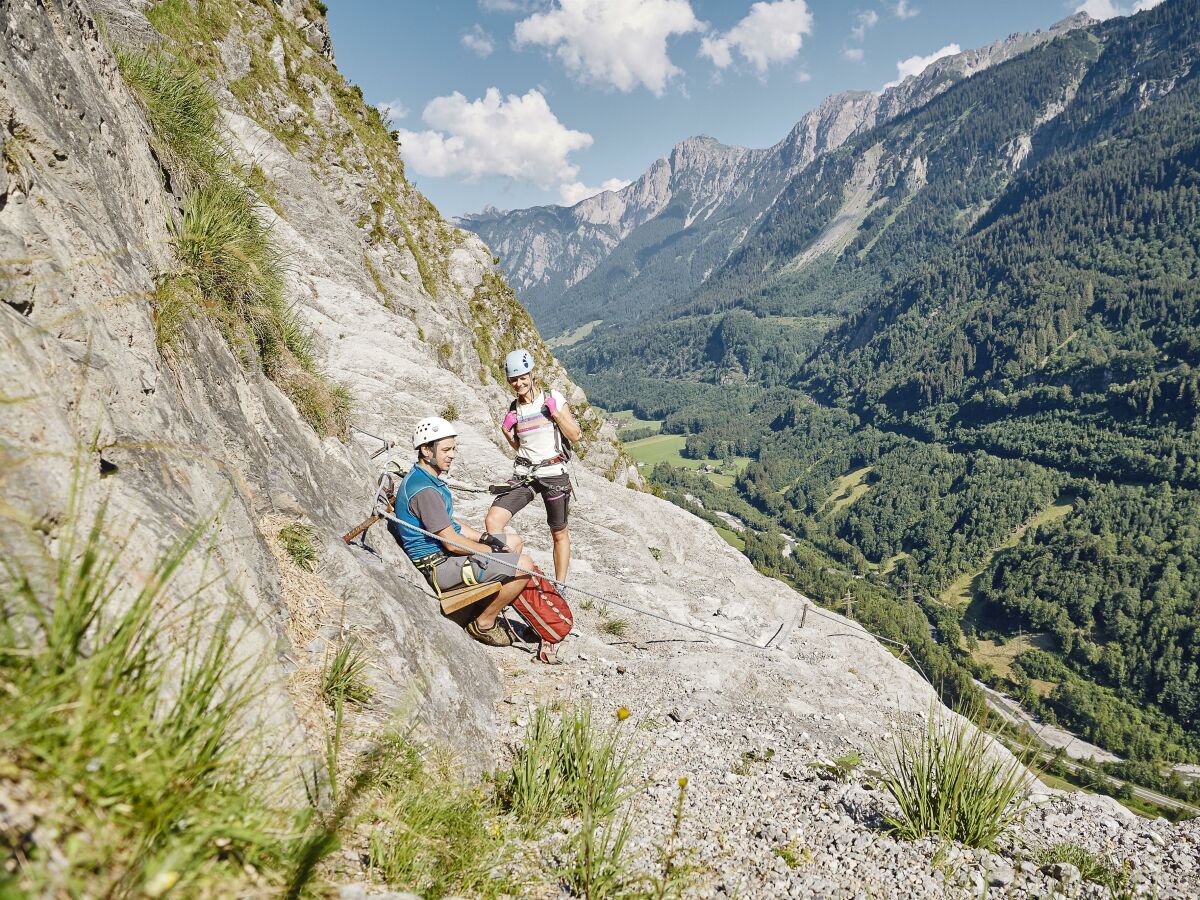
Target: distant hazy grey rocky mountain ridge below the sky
661, 238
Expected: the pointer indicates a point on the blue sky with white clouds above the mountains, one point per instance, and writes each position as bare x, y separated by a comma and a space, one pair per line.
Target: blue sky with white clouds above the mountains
523, 103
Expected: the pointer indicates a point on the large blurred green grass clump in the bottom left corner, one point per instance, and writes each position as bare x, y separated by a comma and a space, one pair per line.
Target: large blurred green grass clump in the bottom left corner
127, 739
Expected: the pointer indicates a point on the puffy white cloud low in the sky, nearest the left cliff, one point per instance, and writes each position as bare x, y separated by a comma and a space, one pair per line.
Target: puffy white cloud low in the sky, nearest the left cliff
514, 136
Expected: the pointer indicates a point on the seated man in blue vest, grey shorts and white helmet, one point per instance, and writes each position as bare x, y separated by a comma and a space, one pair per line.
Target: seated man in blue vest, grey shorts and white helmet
423, 500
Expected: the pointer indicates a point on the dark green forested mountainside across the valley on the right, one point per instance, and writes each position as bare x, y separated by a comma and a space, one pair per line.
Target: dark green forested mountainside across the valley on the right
999, 290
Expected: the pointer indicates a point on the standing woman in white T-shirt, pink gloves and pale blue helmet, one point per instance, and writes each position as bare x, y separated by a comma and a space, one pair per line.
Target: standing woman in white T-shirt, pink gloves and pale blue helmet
541, 428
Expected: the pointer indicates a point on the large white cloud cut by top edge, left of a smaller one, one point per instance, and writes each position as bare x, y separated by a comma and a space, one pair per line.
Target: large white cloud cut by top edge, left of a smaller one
616, 43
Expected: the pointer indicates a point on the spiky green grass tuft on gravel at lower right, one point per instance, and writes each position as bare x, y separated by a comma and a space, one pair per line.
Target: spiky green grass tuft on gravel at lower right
950, 785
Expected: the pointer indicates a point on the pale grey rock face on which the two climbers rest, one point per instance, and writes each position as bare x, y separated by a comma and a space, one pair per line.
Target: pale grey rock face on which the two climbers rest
410, 317
